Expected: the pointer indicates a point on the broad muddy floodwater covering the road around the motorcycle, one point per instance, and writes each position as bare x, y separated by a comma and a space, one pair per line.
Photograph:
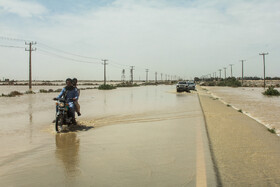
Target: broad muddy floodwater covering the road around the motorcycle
142, 136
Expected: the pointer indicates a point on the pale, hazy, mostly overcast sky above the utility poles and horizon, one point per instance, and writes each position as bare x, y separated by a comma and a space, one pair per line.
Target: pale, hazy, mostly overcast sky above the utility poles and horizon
184, 38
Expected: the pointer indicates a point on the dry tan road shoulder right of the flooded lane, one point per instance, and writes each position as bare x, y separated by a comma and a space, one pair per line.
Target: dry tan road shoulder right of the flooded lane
244, 152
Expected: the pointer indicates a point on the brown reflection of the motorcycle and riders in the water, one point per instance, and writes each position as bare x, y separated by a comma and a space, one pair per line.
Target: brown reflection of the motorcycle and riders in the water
67, 151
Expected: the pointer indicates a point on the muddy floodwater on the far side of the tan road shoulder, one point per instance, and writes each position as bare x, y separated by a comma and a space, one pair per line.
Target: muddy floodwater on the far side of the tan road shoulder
251, 101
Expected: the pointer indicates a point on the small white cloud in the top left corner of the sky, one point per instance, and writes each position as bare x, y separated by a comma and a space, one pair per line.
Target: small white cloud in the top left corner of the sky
22, 8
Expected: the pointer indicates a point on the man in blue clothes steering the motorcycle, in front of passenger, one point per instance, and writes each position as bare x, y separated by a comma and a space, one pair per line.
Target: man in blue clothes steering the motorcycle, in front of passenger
70, 94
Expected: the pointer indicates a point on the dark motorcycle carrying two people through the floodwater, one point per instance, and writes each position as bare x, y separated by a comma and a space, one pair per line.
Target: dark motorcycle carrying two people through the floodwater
63, 116
